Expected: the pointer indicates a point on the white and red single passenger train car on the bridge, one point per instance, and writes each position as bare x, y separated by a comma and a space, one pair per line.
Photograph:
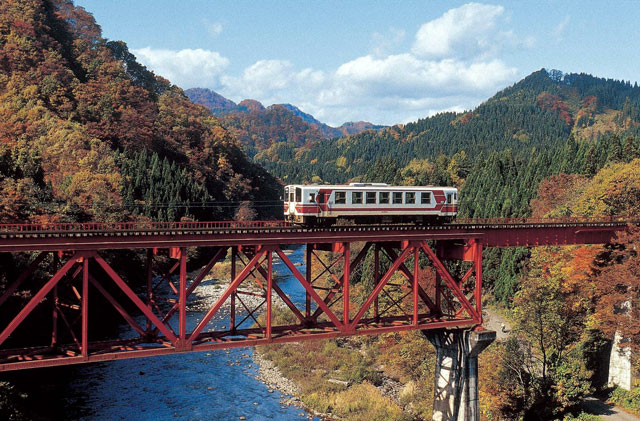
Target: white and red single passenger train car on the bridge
369, 203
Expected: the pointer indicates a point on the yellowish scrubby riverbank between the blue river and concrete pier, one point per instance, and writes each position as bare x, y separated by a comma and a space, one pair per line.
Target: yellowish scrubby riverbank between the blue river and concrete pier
362, 362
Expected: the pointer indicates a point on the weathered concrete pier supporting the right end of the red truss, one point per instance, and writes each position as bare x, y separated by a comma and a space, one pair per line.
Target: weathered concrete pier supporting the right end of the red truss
456, 375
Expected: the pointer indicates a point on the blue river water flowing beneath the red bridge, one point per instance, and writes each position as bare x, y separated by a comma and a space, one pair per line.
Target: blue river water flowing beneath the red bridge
217, 385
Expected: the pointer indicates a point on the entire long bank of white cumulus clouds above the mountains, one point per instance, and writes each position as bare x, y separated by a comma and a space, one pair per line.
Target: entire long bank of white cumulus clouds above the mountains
454, 64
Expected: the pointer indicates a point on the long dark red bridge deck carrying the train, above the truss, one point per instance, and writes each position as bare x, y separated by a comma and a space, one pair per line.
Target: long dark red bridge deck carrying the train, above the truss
104, 236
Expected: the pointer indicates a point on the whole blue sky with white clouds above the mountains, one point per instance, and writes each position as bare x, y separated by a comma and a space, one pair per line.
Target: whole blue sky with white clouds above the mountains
382, 61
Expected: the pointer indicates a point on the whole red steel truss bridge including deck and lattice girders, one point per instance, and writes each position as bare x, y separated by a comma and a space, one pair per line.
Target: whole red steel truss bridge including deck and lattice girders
59, 325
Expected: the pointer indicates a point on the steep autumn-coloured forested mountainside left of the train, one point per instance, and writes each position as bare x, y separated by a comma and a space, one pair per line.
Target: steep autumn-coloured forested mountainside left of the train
87, 133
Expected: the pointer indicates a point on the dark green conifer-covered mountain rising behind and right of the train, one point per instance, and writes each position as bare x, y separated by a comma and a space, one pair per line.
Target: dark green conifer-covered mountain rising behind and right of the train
541, 111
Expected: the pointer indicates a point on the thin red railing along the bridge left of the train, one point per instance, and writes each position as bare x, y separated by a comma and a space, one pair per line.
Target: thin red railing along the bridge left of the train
88, 227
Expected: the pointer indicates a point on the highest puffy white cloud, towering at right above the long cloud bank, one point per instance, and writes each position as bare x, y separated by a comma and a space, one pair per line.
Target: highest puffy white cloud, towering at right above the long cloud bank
465, 32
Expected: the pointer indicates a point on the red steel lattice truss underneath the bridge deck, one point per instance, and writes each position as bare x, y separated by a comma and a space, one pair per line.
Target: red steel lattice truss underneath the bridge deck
158, 337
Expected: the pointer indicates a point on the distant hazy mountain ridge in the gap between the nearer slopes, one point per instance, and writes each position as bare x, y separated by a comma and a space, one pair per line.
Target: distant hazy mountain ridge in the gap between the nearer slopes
258, 127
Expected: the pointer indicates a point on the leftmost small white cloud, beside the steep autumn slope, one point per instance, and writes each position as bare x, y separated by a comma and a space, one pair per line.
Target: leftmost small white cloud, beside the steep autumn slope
186, 68
